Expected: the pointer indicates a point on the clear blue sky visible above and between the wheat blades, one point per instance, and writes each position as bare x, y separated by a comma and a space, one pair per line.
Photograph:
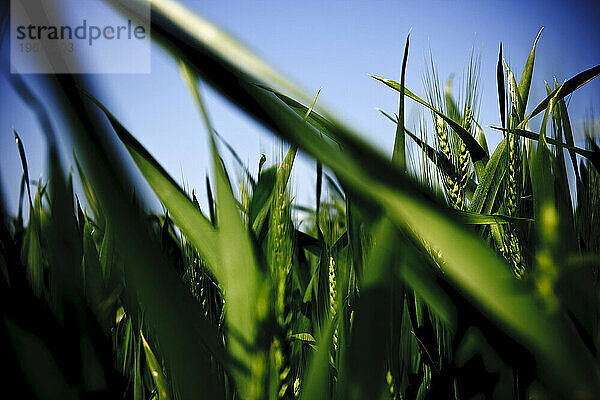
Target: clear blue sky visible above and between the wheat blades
334, 45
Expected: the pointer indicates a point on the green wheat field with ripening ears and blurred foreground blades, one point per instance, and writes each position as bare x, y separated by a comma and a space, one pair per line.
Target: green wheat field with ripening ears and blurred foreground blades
444, 269
